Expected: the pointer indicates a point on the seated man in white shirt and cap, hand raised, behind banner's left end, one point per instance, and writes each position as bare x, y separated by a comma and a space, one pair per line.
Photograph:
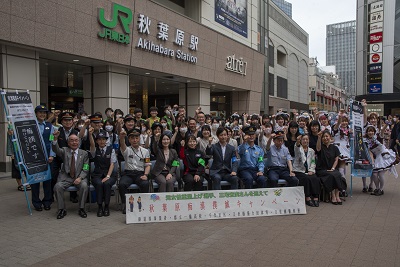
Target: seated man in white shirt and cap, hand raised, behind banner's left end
137, 164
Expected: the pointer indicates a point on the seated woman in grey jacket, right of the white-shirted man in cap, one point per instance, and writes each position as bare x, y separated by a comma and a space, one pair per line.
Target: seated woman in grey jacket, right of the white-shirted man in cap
167, 161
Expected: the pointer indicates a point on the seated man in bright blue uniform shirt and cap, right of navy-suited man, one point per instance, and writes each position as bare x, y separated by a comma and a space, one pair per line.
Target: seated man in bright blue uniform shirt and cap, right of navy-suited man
251, 160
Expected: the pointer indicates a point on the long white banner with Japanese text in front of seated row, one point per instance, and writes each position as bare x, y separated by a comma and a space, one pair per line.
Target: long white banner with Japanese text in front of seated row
218, 204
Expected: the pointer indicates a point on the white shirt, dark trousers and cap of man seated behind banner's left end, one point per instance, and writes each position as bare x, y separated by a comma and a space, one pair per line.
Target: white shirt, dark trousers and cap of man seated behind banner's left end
135, 162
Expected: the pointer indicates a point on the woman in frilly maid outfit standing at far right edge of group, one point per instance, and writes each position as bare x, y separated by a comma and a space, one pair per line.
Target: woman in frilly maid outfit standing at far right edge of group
384, 159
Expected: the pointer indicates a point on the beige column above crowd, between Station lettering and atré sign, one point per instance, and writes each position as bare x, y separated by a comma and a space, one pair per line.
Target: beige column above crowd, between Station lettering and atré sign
198, 94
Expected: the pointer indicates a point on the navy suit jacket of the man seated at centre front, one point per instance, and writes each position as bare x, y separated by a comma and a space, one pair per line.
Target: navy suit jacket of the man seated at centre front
229, 162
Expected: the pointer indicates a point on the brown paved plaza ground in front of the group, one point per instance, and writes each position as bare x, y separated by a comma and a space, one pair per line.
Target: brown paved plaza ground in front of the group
363, 232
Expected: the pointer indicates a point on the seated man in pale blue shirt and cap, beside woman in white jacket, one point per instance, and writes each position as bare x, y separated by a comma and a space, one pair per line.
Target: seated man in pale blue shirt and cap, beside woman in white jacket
280, 162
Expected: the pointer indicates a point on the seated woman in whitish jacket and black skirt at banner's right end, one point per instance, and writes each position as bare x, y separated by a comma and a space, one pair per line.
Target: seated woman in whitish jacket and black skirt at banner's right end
304, 168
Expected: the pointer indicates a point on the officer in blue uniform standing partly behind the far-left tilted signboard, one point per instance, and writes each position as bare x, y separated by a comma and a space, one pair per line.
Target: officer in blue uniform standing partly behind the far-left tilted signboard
46, 129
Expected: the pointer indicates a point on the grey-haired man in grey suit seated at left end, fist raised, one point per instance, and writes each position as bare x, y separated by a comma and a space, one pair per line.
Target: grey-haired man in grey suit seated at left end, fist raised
73, 171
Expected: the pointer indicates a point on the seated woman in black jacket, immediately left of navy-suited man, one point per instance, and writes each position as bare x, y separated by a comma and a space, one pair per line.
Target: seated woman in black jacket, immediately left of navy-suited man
193, 159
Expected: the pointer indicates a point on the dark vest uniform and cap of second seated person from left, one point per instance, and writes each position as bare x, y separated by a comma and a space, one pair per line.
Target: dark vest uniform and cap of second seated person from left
102, 159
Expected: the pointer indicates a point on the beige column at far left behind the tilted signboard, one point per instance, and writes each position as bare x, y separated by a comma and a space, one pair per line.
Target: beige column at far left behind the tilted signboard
19, 70
